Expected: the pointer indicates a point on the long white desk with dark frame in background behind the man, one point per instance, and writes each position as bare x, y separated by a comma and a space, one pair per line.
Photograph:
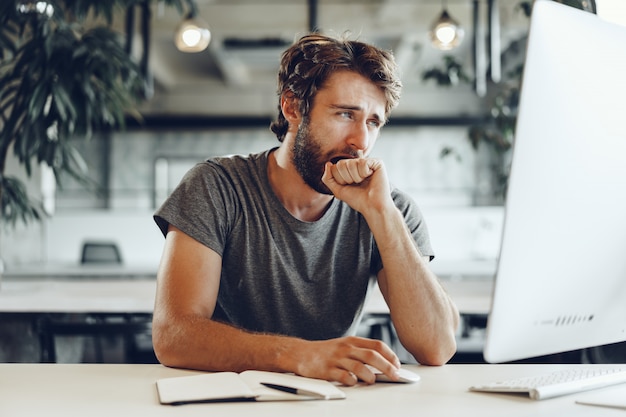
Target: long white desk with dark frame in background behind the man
37, 299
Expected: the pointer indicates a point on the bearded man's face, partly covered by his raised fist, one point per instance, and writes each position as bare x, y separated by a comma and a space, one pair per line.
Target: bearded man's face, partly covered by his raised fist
344, 122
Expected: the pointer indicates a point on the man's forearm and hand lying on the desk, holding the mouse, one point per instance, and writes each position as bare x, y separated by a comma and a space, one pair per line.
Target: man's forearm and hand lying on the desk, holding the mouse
198, 343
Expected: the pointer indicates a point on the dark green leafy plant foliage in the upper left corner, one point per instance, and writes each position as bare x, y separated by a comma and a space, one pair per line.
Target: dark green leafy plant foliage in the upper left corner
63, 75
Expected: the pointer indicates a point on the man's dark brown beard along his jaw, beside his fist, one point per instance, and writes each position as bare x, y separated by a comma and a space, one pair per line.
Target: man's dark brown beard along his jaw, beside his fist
309, 159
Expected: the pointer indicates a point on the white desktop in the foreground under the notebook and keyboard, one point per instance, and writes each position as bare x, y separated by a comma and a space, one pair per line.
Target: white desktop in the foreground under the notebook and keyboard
129, 390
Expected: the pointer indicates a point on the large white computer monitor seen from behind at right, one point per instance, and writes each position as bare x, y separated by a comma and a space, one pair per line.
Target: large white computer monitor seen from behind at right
561, 277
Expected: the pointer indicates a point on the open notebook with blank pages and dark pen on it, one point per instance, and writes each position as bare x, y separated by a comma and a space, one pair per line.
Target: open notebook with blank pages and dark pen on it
245, 386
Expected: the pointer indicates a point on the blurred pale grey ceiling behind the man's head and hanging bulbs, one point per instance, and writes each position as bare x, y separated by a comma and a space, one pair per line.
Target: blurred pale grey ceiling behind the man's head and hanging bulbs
236, 75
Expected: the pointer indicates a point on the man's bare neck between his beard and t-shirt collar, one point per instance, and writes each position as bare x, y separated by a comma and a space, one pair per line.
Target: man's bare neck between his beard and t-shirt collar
303, 202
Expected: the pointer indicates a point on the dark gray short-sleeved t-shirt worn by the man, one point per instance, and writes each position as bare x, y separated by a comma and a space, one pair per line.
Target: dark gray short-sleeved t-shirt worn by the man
279, 274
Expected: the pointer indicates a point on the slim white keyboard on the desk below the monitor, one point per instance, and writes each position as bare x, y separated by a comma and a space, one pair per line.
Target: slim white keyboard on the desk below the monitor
558, 383
